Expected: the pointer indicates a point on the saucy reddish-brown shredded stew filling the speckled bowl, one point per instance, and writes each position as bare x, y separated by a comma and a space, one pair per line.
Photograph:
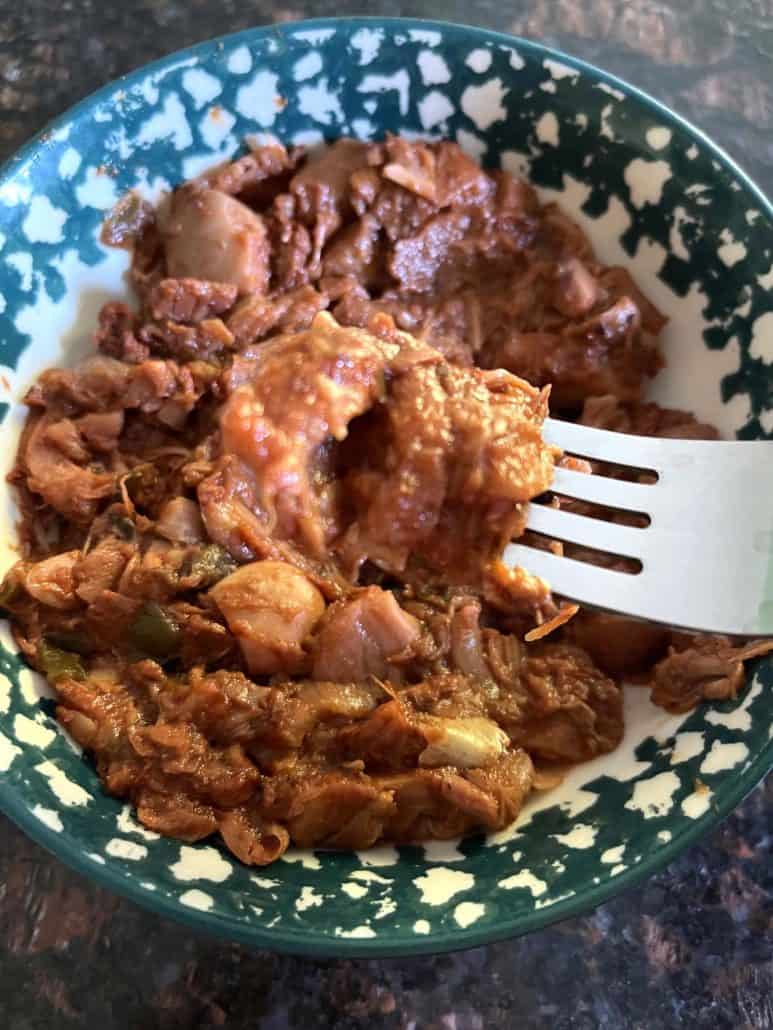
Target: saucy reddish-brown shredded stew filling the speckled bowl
262, 526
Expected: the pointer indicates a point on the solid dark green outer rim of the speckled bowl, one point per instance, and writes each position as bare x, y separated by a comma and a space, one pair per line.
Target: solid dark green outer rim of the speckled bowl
304, 942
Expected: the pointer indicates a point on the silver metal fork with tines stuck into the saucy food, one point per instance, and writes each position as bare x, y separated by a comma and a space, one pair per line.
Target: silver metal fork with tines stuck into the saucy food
708, 555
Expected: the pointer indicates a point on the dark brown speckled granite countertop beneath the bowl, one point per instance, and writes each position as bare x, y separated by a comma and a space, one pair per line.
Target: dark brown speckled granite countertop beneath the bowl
693, 948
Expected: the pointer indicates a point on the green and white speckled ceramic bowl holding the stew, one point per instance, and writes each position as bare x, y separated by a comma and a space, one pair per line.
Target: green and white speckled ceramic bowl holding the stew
654, 194
